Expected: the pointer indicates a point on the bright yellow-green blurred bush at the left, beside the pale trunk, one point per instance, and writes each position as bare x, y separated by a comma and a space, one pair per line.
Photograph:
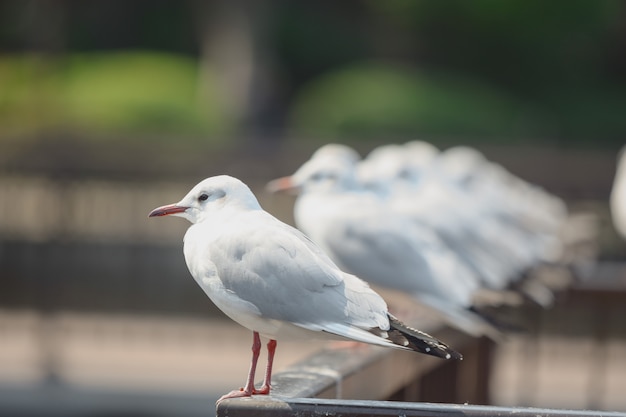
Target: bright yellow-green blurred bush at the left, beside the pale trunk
129, 92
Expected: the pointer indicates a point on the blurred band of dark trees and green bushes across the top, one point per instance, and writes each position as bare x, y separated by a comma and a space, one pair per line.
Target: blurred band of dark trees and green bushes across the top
481, 70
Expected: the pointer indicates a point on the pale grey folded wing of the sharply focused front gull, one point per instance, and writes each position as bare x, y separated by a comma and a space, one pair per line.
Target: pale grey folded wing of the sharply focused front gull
289, 278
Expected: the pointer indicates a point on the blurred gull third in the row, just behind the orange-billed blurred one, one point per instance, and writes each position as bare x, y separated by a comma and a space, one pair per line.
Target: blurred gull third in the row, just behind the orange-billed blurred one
406, 176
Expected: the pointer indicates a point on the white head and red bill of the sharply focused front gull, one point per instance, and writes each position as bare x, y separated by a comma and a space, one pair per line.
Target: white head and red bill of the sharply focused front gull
208, 197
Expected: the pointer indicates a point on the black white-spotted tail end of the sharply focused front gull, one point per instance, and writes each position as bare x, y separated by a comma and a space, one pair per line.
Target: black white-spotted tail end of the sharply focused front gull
408, 337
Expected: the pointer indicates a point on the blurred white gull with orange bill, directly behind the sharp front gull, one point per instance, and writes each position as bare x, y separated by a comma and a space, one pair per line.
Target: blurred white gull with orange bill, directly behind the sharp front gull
354, 226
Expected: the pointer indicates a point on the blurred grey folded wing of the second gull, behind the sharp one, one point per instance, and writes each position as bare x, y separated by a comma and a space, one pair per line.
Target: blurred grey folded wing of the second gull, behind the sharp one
402, 256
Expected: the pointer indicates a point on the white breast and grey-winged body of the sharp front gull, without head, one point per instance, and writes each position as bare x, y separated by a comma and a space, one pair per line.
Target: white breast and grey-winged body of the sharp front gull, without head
275, 268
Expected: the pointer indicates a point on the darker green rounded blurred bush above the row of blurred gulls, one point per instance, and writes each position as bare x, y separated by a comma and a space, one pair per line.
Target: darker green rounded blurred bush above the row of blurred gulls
371, 99
